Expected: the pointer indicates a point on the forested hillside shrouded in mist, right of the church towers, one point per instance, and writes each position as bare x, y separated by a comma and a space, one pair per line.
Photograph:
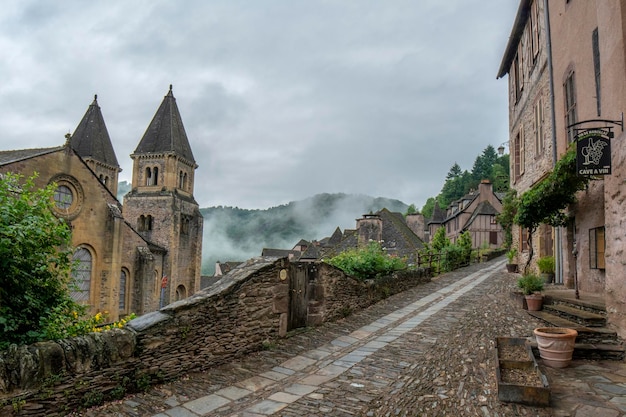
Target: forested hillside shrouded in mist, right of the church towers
234, 234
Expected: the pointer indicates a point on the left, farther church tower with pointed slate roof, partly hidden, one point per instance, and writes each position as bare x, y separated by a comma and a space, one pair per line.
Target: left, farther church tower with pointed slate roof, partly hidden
92, 143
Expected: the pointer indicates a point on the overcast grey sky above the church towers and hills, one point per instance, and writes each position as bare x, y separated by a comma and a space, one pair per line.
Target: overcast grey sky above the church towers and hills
281, 99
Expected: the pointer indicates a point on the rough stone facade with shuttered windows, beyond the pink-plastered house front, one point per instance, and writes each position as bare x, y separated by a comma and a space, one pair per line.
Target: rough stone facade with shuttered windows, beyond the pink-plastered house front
531, 148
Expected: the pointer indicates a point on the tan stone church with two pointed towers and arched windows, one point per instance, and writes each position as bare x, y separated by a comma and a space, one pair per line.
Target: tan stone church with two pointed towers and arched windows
134, 257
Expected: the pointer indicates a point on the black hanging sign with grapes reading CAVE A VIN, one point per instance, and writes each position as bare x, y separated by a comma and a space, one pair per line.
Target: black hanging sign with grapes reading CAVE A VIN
593, 153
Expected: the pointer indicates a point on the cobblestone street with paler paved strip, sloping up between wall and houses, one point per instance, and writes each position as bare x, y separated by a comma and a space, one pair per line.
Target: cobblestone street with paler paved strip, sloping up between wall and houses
428, 351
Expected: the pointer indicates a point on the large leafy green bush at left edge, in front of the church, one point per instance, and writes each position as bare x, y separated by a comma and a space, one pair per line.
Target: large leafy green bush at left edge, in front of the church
35, 260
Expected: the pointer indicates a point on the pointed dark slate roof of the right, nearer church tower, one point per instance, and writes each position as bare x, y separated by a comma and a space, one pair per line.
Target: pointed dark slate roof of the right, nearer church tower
166, 132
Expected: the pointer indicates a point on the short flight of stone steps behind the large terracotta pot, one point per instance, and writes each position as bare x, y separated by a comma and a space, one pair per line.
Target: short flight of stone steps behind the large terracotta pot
587, 315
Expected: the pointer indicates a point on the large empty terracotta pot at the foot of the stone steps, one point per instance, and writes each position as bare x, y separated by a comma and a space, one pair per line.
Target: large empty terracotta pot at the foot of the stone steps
556, 345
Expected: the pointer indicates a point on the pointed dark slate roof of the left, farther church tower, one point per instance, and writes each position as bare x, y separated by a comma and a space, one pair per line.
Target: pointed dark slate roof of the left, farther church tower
91, 138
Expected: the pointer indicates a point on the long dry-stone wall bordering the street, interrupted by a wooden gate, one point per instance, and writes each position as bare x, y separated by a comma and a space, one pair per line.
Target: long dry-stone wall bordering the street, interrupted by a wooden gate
232, 318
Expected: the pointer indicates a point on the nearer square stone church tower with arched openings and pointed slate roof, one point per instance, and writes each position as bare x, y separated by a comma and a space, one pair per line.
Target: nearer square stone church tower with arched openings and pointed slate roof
161, 205
